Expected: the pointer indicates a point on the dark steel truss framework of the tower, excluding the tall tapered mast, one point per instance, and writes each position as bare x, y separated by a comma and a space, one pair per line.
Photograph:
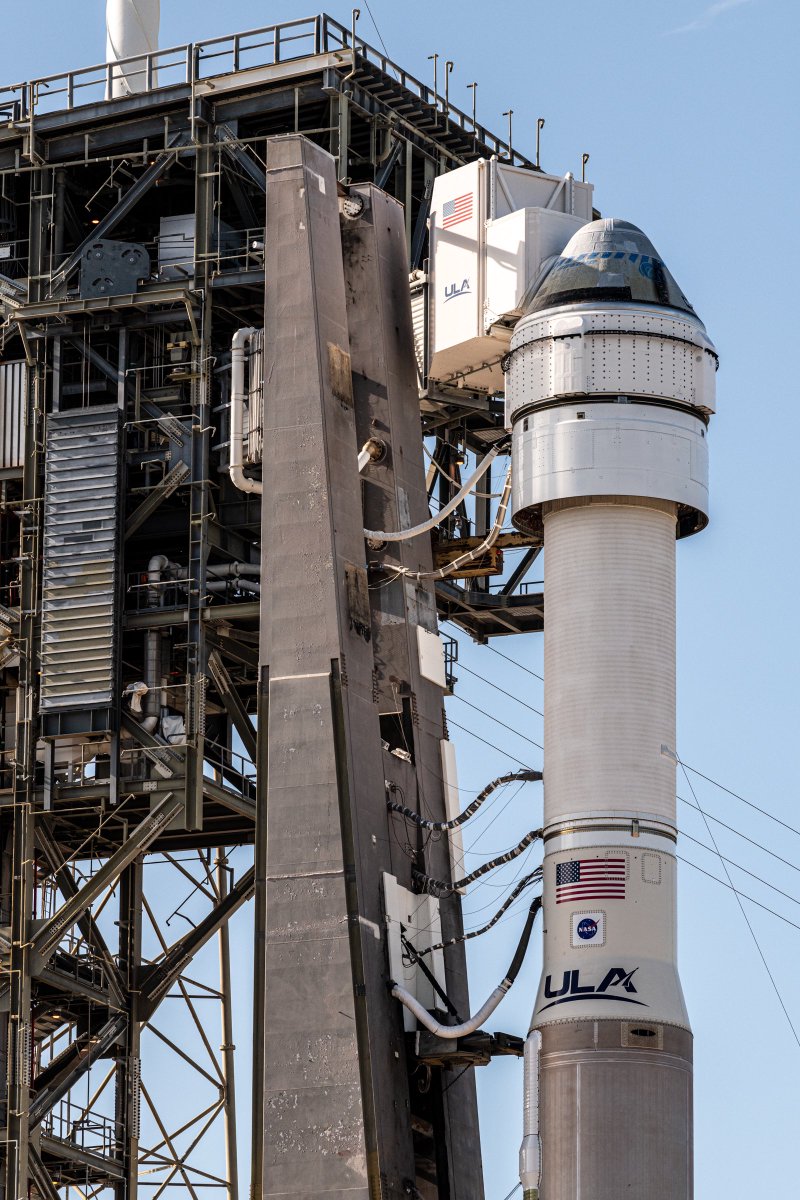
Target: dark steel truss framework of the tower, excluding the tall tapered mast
95, 808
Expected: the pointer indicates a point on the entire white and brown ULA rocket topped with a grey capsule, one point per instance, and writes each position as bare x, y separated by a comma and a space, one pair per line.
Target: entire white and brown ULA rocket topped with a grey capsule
610, 388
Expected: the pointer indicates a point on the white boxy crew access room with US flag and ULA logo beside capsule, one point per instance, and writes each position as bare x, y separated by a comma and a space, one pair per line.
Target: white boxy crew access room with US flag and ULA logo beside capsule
492, 229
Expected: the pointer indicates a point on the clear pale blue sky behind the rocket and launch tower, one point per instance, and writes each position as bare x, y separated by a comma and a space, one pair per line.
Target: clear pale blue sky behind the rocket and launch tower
689, 113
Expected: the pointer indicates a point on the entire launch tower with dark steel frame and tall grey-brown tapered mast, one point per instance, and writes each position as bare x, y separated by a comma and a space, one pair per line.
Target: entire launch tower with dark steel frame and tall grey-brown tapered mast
191, 668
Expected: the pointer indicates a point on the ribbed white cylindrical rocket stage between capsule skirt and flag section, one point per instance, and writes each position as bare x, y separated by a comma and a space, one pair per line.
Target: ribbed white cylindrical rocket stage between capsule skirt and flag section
610, 661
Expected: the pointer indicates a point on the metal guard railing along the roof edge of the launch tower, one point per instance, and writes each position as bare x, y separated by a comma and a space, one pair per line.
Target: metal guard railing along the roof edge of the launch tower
197, 62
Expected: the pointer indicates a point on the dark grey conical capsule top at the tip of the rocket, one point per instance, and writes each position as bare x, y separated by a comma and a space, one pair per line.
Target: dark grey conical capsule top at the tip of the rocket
610, 261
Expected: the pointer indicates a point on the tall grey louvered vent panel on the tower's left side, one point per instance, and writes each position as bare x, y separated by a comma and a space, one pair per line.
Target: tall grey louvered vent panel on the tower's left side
82, 489
